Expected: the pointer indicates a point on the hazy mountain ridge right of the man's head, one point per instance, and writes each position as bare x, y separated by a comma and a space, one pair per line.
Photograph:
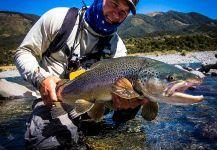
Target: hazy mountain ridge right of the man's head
171, 22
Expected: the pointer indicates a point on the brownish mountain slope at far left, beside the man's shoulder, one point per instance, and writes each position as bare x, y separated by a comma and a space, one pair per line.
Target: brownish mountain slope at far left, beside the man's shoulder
13, 28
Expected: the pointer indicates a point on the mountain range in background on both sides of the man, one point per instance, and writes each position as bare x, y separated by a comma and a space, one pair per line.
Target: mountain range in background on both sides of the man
14, 26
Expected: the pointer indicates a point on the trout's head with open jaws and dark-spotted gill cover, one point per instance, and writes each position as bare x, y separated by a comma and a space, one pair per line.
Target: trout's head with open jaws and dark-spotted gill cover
165, 83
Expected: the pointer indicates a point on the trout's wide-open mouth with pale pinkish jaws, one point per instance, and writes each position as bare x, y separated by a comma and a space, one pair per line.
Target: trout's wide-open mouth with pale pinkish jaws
177, 92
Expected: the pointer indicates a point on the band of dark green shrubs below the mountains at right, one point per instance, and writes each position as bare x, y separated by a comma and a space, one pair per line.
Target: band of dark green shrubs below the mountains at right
181, 43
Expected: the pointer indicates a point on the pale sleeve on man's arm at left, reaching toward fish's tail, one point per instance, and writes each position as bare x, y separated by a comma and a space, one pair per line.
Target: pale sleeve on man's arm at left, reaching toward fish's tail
28, 56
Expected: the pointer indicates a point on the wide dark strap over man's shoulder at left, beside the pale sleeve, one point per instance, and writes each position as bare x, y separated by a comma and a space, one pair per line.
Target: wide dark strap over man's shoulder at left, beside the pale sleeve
60, 40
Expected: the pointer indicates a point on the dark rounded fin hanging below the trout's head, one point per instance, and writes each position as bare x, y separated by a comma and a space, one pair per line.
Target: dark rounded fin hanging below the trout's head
149, 110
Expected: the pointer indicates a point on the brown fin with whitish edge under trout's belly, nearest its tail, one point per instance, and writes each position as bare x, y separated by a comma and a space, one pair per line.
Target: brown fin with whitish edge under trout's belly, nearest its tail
81, 106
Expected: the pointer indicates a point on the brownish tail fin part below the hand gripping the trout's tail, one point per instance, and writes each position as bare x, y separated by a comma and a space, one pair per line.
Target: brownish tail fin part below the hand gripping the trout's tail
57, 110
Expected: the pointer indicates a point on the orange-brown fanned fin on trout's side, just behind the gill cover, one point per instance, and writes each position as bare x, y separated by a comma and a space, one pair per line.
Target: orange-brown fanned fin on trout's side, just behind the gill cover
123, 88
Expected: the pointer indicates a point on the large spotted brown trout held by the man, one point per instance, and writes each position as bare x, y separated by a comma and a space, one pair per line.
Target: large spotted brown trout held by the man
128, 77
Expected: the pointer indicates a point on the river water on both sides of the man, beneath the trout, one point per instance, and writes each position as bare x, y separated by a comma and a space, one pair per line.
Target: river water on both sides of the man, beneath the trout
176, 127
